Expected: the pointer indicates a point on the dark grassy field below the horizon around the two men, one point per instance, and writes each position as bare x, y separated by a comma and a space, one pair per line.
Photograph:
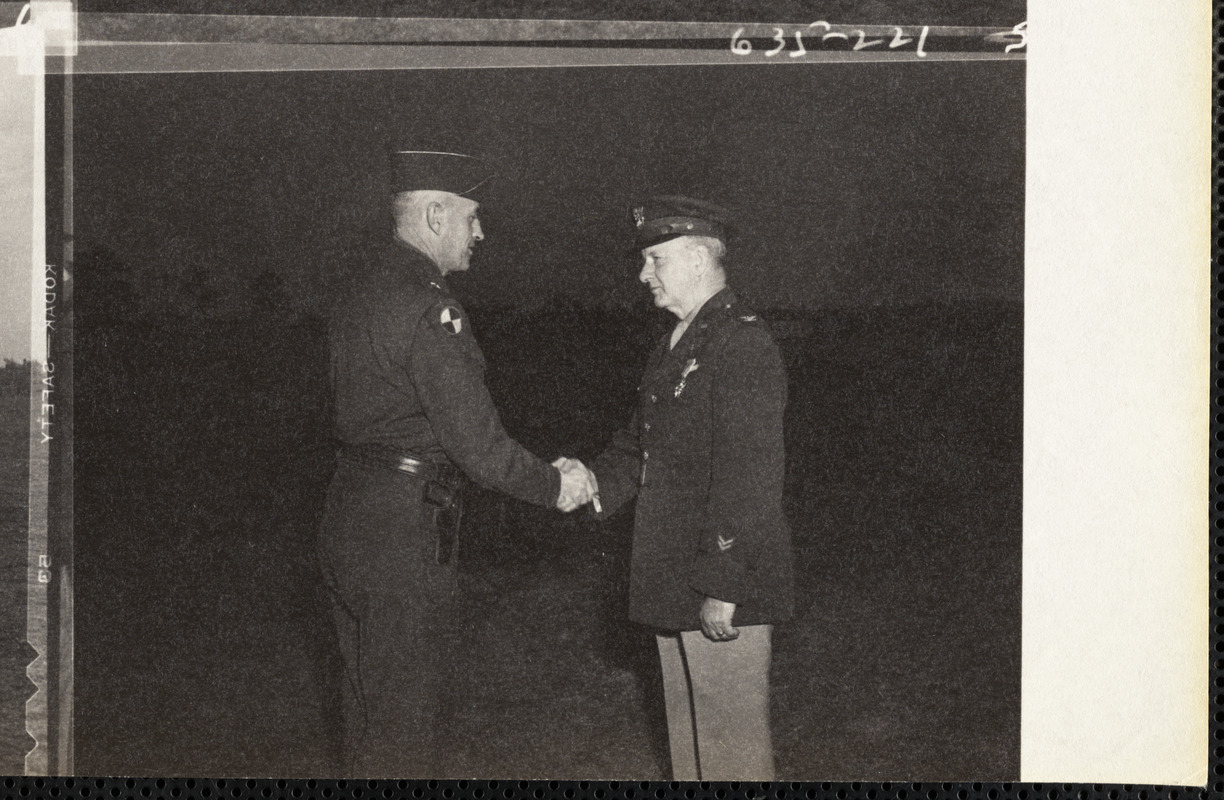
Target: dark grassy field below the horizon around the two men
204, 646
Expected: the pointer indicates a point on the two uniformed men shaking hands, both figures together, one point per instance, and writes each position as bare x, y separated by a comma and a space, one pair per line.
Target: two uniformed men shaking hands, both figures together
703, 457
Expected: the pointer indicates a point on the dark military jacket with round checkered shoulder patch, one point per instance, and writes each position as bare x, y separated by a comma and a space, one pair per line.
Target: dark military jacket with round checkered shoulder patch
408, 375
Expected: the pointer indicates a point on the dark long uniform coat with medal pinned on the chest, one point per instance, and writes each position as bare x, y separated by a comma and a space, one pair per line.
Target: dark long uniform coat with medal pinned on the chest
704, 457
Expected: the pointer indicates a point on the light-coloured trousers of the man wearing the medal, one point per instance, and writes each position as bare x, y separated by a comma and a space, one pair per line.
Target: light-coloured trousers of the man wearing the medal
718, 705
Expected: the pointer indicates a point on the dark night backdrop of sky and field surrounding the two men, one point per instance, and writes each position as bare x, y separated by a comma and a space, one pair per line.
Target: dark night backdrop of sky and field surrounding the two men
882, 217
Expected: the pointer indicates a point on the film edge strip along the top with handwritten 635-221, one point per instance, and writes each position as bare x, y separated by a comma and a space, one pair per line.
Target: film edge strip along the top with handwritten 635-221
108, 43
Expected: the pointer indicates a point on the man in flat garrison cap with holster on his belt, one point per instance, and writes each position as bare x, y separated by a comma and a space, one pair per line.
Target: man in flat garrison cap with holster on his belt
416, 423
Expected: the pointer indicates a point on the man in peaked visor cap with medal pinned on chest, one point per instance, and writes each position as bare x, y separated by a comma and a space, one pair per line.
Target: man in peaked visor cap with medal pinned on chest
704, 456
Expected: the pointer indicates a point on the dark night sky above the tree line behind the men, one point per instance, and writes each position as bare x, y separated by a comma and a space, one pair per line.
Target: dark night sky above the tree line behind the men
853, 184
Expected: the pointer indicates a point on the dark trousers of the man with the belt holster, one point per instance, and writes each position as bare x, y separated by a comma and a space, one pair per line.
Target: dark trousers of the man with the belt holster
394, 609
